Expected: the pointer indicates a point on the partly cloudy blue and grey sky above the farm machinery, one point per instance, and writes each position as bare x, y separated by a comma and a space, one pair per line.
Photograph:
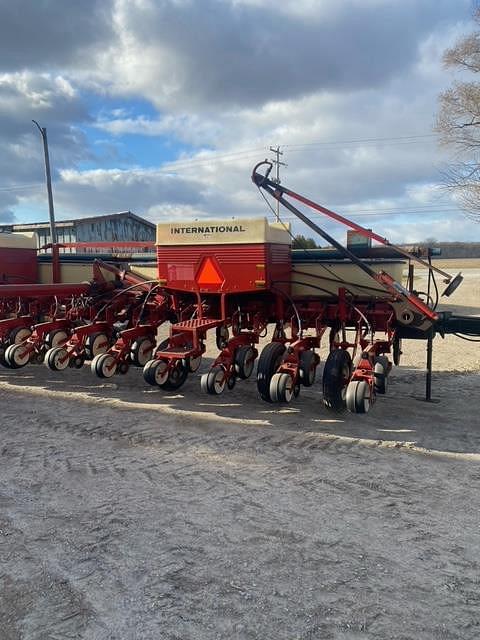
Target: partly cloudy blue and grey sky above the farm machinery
162, 107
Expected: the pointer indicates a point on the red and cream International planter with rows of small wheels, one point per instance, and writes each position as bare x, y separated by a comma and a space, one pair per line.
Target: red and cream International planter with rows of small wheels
241, 279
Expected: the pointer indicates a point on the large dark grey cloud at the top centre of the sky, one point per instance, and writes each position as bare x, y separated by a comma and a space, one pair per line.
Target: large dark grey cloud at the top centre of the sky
191, 55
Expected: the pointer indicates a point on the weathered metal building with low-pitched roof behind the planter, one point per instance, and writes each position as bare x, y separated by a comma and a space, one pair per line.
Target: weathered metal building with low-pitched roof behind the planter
124, 226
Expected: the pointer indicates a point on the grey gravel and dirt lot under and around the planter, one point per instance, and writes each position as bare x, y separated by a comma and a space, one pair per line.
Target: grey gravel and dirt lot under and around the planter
130, 513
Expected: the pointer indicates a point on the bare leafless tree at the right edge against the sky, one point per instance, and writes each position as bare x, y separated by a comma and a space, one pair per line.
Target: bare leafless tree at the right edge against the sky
458, 122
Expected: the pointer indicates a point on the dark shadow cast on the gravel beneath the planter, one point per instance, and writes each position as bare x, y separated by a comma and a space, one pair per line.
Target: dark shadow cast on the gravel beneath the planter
449, 423
